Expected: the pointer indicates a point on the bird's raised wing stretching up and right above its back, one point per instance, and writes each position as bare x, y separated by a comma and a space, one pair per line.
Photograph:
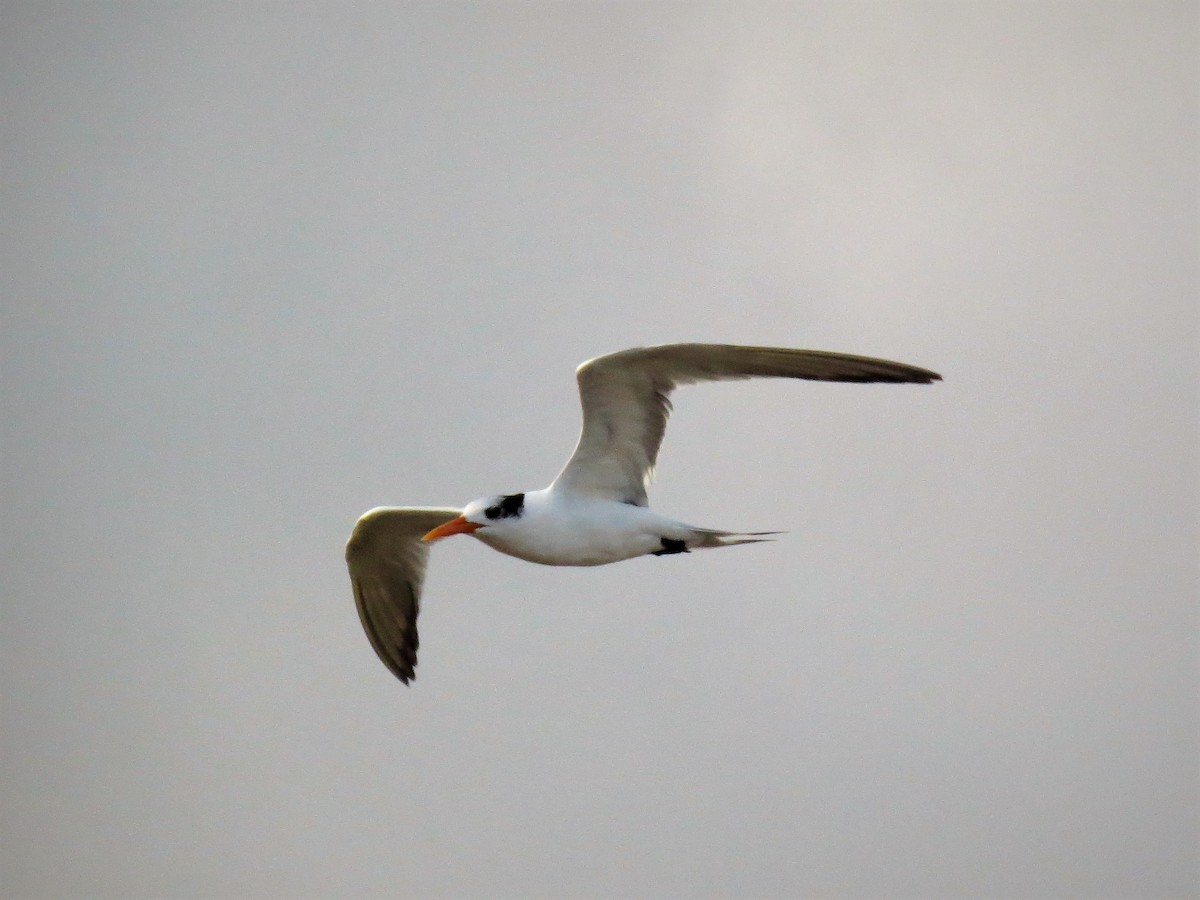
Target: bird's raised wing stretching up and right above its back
626, 399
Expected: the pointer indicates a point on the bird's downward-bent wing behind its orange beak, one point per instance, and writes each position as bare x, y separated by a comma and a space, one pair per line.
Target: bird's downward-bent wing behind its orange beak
387, 562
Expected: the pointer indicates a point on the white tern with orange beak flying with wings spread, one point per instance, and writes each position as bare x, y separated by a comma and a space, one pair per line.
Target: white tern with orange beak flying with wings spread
597, 511
